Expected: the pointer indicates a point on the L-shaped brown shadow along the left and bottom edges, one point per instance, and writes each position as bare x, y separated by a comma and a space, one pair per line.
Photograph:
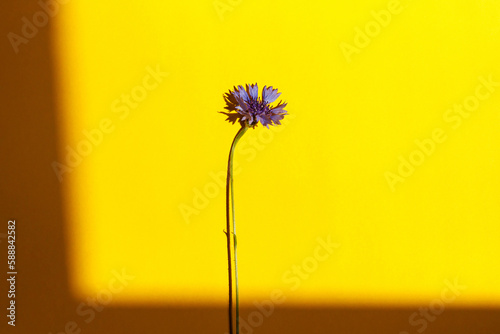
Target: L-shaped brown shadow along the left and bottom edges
32, 195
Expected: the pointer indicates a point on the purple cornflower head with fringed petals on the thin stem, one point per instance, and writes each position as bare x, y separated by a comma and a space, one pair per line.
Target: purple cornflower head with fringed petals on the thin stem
245, 106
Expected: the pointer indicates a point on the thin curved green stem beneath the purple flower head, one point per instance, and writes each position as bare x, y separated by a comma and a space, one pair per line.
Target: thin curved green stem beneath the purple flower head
230, 198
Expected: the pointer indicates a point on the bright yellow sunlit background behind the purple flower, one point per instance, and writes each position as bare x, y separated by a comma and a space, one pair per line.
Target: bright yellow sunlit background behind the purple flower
321, 174
